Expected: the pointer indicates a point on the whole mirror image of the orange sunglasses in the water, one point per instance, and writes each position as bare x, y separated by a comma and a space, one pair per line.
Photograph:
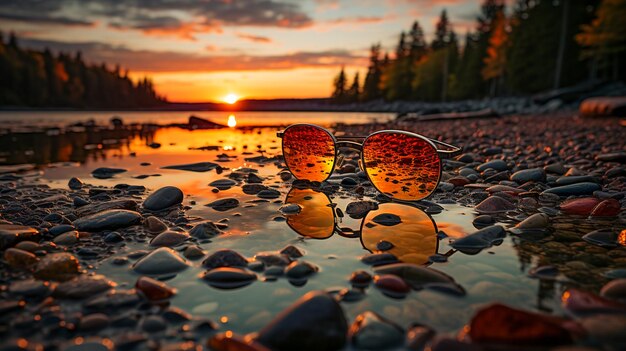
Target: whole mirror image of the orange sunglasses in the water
404, 230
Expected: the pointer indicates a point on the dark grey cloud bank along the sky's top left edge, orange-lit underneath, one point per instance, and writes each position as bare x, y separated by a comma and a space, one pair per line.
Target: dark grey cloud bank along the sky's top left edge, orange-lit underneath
182, 18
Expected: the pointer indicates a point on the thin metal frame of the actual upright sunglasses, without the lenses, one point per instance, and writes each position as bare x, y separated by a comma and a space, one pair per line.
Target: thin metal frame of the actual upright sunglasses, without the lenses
348, 142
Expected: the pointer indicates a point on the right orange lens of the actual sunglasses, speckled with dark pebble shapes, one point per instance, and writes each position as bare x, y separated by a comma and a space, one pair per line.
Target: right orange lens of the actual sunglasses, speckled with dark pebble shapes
402, 166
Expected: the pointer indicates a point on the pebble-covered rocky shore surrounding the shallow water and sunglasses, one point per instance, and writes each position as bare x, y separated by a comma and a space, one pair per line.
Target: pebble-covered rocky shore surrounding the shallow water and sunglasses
552, 187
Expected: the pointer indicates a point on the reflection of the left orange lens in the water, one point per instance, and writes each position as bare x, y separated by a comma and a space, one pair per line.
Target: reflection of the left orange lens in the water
316, 218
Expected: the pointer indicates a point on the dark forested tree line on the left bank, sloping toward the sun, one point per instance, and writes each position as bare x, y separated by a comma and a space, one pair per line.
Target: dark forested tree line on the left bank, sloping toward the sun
41, 79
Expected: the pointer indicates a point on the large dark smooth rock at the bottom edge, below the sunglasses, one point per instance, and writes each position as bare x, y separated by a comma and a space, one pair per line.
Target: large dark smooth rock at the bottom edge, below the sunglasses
313, 323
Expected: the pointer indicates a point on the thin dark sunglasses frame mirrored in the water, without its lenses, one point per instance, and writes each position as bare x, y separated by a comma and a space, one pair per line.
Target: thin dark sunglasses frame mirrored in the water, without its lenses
359, 234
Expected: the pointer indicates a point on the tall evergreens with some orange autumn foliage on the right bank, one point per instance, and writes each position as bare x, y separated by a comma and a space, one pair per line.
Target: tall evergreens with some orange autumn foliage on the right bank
541, 45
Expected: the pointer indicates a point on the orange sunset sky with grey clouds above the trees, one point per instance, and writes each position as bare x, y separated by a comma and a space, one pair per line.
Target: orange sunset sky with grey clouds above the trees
204, 50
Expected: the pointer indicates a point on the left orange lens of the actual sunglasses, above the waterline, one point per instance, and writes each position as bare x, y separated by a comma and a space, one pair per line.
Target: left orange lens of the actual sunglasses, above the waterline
309, 152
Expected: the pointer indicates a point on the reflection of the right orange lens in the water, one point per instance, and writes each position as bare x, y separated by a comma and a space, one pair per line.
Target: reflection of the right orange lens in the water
411, 233
